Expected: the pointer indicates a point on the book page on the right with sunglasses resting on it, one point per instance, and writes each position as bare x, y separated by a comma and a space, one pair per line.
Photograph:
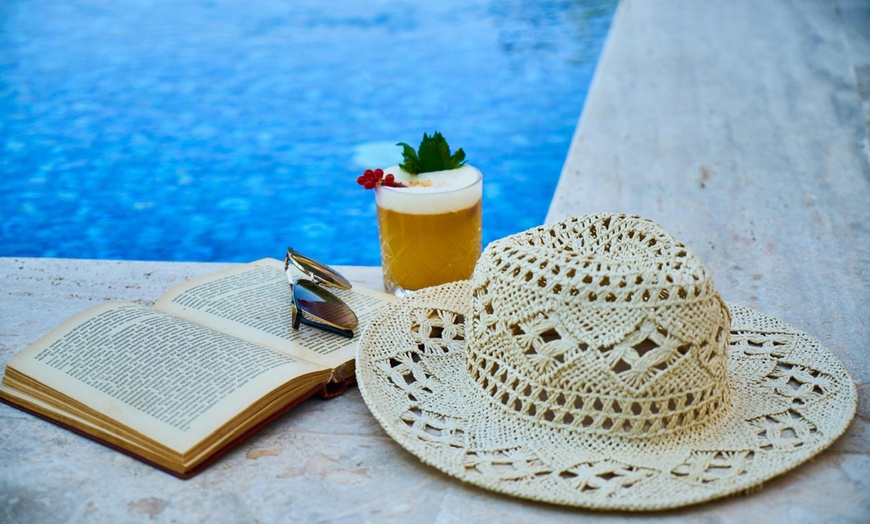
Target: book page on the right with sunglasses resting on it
254, 302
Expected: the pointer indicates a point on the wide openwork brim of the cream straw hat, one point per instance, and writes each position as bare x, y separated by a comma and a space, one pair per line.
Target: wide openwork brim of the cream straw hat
791, 398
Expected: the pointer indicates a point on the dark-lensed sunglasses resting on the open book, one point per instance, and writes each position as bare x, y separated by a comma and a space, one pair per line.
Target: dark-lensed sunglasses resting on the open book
313, 305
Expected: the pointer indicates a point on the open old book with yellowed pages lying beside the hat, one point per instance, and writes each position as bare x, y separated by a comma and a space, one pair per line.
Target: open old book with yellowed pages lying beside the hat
178, 384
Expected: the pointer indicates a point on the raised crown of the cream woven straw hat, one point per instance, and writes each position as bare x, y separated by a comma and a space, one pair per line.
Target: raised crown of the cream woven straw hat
603, 324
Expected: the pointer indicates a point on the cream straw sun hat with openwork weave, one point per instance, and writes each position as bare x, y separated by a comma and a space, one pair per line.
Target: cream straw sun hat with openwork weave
593, 363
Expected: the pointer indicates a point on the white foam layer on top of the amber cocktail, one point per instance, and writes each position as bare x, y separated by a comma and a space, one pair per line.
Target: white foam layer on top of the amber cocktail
432, 193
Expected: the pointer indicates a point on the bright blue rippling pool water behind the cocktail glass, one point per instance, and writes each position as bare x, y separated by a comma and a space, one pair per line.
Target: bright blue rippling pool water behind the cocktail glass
218, 130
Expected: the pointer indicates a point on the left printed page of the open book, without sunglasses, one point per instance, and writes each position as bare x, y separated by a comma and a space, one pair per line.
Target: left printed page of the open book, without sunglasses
171, 380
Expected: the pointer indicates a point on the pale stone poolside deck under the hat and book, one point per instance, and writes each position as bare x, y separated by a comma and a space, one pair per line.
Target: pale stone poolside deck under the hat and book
740, 126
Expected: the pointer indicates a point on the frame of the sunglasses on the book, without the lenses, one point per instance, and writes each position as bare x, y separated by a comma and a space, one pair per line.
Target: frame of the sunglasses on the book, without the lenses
319, 275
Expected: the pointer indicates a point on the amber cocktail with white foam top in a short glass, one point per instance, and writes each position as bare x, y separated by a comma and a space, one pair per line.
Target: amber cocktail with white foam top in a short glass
430, 232
